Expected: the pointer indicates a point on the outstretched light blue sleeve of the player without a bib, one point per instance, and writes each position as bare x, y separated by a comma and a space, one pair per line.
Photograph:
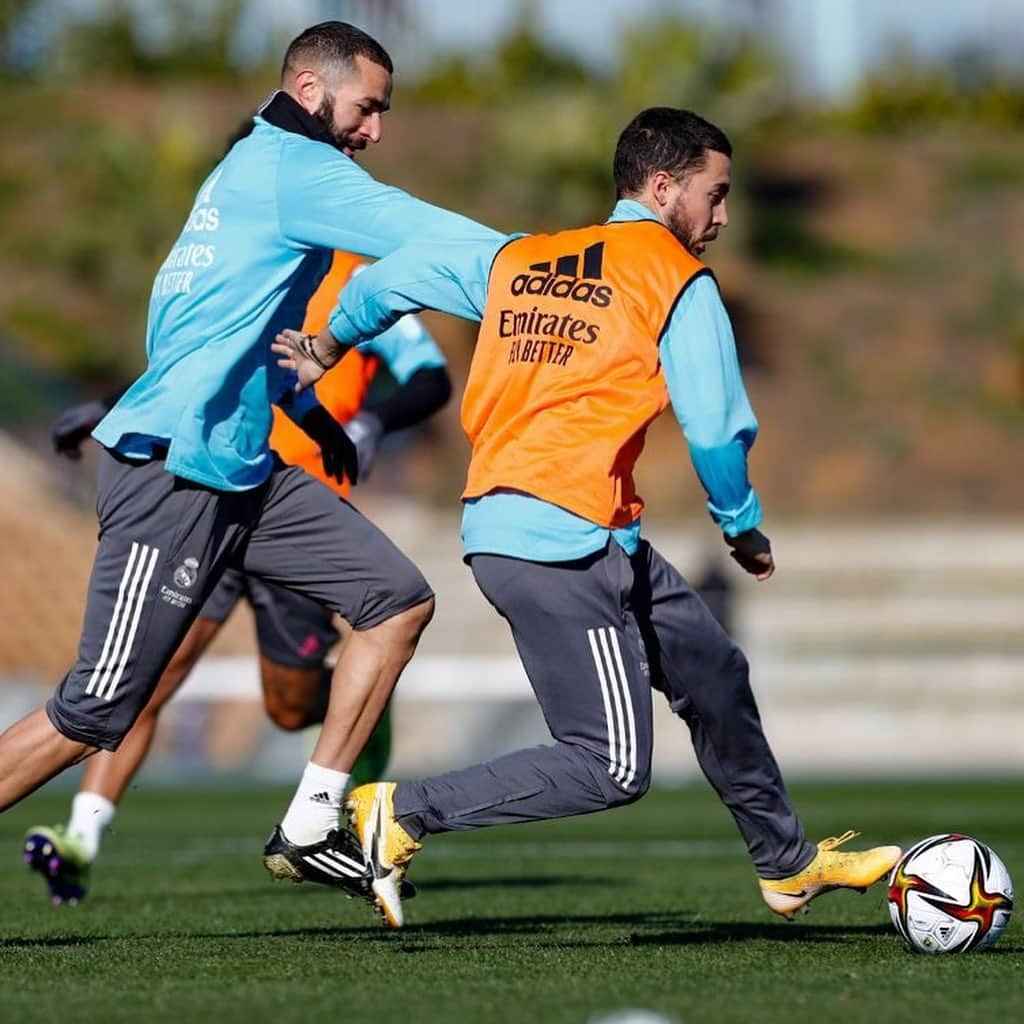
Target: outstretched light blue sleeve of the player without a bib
333, 203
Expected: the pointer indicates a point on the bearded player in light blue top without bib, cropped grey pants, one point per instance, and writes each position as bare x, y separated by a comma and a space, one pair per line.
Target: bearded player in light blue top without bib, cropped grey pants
188, 485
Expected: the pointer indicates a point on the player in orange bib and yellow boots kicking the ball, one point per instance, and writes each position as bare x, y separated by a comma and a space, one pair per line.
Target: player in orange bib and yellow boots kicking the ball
586, 336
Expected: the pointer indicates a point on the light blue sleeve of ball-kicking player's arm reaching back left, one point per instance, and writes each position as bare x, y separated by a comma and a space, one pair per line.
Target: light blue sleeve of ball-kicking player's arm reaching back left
452, 279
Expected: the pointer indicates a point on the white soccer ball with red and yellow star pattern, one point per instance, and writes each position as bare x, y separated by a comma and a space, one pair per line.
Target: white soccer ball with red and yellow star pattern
950, 894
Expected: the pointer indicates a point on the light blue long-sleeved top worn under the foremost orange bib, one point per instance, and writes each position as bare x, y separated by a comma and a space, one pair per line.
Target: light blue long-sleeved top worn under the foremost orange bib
702, 371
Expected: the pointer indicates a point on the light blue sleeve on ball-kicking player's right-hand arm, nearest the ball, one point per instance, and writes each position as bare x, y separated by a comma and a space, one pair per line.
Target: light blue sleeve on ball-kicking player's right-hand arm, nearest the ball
699, 358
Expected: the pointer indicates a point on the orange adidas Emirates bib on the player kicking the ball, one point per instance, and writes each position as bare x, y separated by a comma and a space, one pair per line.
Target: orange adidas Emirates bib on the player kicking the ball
567, 377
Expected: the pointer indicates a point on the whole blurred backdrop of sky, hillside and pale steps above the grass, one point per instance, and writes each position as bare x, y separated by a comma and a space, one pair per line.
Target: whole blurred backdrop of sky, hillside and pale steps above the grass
874, 269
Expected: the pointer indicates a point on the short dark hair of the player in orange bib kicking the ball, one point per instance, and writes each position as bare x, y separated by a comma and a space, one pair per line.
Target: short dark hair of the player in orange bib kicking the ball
664, 139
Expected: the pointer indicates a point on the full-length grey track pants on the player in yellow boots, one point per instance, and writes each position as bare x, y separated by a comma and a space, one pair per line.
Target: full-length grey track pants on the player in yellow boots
595, 636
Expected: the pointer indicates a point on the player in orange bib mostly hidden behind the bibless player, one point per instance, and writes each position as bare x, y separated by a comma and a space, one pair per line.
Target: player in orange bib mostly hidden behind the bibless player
294, 632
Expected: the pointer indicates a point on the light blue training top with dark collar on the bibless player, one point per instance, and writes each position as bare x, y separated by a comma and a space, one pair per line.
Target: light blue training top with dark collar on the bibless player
255, 247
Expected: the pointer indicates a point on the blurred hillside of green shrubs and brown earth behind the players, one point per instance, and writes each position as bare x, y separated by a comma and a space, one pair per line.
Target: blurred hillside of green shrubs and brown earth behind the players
874, 251
